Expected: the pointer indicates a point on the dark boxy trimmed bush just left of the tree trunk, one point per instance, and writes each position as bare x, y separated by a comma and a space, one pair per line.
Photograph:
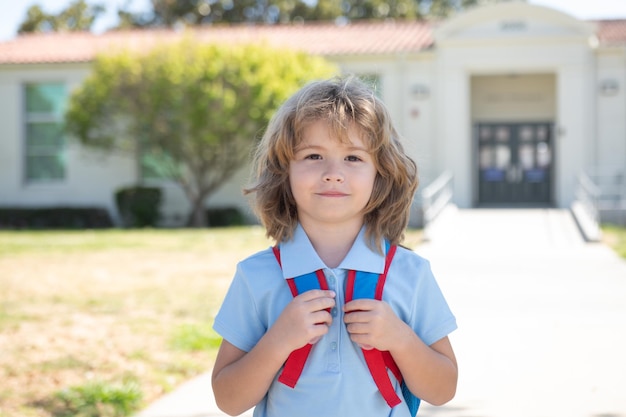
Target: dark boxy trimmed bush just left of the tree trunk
139, 206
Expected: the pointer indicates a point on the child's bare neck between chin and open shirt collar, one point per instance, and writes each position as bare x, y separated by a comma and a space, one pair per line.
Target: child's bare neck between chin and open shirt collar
332, 243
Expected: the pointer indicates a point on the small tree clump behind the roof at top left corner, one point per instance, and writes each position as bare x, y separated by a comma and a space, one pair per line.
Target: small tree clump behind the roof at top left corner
78, 16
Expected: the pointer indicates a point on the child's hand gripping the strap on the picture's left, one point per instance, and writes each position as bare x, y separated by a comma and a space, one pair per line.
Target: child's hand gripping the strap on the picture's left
305, 319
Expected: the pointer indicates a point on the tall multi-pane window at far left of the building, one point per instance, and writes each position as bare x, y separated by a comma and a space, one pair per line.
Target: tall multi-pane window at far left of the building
45, 139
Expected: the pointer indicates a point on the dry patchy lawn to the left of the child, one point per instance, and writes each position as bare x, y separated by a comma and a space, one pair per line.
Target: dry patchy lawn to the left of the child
101, 323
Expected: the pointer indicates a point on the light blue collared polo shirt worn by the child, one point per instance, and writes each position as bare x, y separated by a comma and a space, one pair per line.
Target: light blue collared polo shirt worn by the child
335, 380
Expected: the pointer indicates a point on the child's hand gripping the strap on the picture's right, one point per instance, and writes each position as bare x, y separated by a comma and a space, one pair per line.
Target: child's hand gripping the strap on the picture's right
373, 324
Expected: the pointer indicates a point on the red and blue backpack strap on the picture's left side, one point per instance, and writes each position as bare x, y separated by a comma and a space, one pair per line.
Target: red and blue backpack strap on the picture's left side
294, 365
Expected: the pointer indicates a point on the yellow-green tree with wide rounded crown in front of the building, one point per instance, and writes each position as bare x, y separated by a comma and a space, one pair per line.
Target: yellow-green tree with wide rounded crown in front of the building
196, 109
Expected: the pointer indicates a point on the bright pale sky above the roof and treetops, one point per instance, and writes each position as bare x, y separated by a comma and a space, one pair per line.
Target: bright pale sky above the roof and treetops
13, 12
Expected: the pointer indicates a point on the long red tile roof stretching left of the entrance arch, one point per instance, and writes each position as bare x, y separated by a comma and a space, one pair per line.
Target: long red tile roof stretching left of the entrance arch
321, 39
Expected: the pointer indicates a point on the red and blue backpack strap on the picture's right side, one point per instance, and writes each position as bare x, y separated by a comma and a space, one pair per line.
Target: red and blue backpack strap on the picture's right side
368, 285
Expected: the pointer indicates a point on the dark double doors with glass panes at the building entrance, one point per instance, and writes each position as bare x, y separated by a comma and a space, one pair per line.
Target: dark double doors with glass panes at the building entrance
514, 163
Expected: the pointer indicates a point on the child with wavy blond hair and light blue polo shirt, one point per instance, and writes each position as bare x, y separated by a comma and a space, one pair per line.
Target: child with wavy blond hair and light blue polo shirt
332, 185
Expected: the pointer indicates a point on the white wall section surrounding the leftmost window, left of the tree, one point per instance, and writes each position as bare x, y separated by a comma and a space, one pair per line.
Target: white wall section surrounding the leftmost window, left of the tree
91, 178
